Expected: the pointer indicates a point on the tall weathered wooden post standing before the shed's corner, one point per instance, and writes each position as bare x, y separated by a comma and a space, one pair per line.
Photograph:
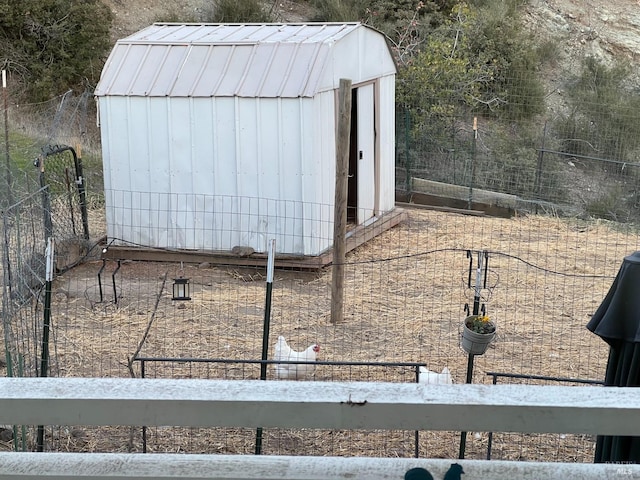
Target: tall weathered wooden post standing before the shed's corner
340, 207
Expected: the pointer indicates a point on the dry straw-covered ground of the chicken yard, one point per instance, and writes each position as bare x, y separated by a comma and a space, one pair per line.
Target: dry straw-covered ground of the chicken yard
404, 291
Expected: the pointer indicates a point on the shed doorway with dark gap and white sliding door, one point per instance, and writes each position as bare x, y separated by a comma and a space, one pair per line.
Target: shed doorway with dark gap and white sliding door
362, 161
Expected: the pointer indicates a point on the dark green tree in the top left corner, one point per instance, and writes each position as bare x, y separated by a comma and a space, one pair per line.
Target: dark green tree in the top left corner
54, 45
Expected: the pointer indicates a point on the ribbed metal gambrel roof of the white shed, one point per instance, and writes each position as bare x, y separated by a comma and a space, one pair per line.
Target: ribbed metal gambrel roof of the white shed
248, 60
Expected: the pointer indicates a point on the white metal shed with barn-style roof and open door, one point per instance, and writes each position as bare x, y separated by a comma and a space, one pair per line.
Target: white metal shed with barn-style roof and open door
219, 135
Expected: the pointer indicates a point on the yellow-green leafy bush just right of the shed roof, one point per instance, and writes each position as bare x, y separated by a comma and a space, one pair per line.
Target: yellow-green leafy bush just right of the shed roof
479, 60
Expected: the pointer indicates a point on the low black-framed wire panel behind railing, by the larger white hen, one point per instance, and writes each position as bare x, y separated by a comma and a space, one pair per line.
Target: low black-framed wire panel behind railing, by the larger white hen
277, 441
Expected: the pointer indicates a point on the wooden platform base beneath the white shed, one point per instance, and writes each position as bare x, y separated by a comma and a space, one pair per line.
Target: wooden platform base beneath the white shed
355, 237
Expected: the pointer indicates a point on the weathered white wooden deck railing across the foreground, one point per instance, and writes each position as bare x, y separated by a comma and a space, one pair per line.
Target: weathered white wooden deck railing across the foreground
326, 405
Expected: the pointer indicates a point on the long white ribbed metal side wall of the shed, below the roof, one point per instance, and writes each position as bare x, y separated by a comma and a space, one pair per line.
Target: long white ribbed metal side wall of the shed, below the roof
184, 173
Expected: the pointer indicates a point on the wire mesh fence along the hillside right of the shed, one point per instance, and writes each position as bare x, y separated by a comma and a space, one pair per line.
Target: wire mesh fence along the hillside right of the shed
532, 168
